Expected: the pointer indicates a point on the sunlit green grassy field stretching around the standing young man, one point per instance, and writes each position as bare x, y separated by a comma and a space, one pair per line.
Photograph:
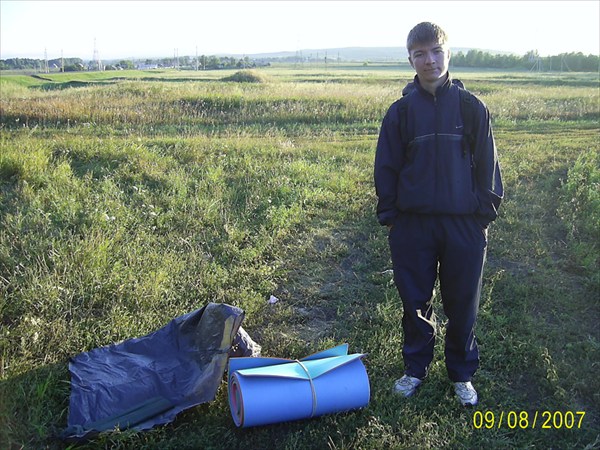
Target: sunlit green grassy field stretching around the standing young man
130, 198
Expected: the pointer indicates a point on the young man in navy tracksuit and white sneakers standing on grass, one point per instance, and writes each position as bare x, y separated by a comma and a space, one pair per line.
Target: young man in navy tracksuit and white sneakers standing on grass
438, 189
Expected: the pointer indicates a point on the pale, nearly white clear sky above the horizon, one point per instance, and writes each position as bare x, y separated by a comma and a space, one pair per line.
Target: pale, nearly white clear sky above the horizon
143, 29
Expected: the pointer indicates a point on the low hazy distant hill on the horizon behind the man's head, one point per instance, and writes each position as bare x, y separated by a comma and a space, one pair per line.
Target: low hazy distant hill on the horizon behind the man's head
373, 54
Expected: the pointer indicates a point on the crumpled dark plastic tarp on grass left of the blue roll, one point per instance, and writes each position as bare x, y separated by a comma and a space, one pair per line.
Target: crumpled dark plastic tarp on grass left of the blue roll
147, 381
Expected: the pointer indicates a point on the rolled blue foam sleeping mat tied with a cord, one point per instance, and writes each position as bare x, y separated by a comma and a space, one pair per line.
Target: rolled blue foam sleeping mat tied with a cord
271, 390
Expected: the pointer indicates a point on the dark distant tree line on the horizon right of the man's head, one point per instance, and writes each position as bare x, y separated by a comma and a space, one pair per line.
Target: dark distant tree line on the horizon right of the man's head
576, 62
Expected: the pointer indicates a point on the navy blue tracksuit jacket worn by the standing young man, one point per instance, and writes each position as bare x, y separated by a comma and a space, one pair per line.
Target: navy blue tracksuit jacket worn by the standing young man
436, 176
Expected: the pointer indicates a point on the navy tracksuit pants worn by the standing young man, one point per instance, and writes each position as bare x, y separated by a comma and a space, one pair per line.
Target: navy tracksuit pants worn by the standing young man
424, 247
